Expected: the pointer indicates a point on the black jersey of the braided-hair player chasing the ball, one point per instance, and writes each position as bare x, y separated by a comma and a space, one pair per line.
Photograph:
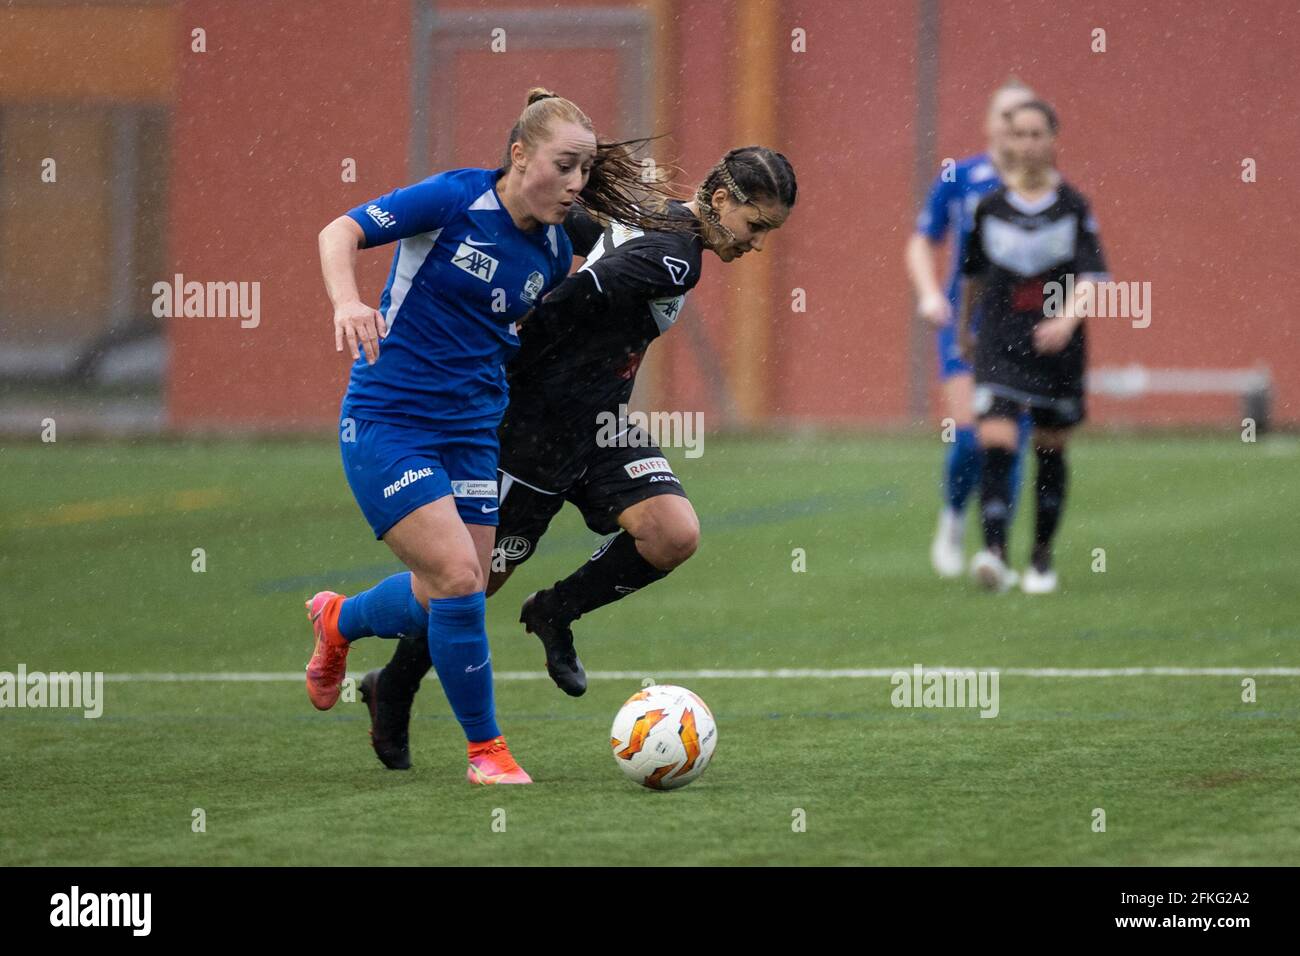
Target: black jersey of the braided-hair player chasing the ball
582, 348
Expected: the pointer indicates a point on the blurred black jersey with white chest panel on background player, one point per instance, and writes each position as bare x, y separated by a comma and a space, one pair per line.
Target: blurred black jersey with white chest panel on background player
1017, 249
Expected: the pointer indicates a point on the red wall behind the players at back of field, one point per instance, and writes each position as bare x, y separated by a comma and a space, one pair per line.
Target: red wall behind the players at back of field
1154, 132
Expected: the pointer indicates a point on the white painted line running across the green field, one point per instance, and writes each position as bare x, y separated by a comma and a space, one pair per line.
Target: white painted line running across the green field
785, 674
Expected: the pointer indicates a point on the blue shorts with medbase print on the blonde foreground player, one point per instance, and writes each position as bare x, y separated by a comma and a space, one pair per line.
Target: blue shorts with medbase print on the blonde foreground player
393, 470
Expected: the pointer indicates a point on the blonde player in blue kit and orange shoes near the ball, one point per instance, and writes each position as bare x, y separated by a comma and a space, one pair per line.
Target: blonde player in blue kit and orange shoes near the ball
478, 250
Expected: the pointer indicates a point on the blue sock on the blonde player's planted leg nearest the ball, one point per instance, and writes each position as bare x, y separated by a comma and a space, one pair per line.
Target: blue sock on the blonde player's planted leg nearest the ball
458, 644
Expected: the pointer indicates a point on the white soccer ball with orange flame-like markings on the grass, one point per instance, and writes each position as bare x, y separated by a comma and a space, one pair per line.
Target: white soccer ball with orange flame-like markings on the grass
664, 737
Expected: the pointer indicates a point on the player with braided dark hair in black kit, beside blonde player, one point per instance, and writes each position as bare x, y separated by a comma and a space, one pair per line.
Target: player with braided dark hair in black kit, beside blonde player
578, 364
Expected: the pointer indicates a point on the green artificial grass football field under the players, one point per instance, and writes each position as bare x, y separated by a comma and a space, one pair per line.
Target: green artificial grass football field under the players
1201, 542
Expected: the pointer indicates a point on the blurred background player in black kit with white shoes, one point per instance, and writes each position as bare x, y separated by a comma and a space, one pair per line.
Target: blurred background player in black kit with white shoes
1034, 241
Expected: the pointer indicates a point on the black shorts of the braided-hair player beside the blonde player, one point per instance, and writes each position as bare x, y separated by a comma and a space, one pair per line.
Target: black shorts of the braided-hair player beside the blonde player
614, 481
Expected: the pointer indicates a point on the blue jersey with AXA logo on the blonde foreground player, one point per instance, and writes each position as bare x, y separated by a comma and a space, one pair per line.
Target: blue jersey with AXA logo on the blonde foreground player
462, 278
